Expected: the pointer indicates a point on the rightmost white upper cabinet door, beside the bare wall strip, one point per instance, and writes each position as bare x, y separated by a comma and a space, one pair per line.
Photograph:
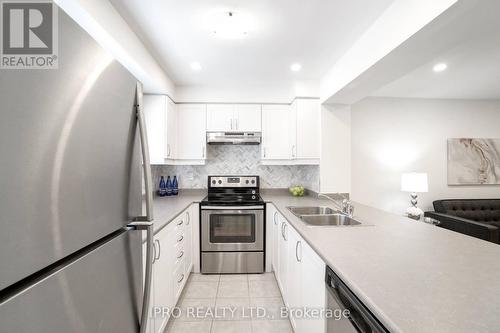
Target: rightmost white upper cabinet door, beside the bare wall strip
308, 129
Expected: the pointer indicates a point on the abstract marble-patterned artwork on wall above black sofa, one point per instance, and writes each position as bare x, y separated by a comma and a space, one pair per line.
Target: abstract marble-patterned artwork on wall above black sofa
473, 161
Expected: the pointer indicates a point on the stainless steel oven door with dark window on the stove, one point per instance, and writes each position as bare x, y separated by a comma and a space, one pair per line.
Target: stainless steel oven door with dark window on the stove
232, 228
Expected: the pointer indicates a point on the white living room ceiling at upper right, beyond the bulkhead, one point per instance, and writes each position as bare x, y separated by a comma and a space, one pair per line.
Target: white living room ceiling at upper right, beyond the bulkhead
473, 59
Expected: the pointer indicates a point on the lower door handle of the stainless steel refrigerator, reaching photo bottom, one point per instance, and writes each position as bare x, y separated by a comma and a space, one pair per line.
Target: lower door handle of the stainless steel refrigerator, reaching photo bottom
148, 227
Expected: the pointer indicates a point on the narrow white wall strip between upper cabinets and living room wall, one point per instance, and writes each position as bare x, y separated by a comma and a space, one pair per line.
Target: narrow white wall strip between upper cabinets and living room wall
335, 164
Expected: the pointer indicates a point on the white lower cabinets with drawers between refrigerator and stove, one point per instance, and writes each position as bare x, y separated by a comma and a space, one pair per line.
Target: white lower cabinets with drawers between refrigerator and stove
172, 264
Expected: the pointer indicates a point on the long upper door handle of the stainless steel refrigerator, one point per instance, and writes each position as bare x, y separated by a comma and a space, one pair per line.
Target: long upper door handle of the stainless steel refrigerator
145, 156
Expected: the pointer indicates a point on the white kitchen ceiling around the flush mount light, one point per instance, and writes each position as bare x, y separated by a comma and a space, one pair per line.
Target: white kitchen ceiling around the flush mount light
314, 33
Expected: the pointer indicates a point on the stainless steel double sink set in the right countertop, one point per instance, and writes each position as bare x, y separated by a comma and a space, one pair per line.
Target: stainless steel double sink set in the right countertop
322, 216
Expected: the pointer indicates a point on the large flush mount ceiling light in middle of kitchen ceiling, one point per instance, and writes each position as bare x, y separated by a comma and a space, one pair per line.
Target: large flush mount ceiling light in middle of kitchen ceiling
228, 24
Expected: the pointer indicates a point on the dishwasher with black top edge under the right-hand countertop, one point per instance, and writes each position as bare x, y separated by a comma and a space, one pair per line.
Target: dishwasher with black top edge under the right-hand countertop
357, 318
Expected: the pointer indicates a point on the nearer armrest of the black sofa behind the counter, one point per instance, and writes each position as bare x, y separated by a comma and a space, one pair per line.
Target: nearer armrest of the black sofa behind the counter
468, 227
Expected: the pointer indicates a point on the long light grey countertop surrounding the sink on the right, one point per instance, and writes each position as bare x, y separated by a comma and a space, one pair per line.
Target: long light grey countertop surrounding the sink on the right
415, 277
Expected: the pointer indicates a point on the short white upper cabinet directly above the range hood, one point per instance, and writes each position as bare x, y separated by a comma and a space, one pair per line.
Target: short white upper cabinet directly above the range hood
233, 117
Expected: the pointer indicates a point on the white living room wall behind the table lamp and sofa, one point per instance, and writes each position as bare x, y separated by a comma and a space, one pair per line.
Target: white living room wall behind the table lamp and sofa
391, 136
